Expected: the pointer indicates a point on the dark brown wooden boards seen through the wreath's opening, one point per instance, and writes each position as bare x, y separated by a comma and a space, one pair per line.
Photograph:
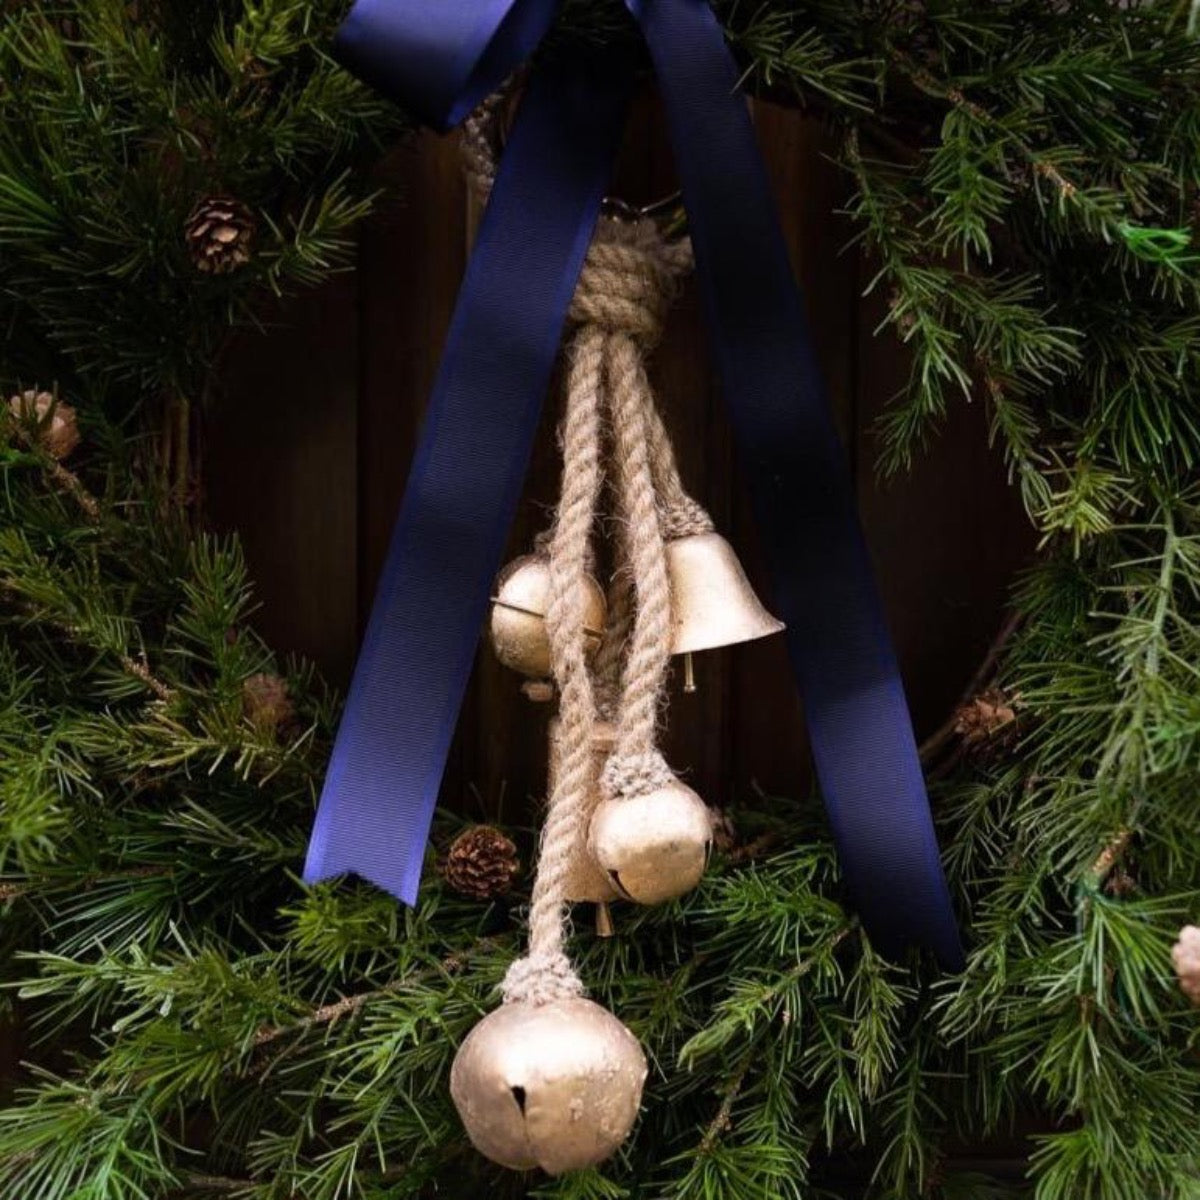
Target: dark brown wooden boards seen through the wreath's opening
308, 452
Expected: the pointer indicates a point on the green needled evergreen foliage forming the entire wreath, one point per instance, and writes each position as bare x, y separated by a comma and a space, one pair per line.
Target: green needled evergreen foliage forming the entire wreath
1025, 179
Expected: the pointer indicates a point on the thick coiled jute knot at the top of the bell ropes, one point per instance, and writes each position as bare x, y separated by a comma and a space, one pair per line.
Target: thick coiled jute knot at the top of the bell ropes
629, 277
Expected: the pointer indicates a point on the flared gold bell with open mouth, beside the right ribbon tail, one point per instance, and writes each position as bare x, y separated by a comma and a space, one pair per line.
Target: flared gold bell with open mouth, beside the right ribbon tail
712, 602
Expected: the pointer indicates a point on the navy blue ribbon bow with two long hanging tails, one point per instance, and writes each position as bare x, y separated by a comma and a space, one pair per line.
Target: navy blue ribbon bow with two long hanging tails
439, 61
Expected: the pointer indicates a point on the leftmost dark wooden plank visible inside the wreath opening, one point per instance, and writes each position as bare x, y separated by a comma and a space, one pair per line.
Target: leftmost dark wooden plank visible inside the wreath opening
280, 469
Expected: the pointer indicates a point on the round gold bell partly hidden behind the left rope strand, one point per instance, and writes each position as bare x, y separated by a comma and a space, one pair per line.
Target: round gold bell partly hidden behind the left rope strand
519, 616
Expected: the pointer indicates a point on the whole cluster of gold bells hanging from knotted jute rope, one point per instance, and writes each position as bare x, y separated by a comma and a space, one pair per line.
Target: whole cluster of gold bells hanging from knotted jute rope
551, 1079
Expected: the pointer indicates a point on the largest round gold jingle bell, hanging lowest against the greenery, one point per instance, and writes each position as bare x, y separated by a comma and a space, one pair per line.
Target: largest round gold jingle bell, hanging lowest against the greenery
556, 1085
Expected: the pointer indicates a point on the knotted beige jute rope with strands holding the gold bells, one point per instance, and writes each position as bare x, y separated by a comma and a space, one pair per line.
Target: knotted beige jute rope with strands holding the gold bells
627, 283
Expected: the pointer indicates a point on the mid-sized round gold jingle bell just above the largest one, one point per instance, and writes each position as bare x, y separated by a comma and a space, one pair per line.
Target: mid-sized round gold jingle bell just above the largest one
655, 847
